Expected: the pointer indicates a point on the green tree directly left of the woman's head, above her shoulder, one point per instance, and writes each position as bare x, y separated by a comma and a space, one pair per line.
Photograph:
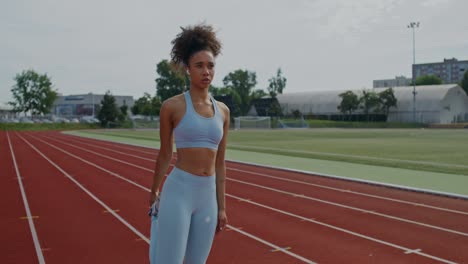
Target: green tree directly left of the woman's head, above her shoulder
169, 82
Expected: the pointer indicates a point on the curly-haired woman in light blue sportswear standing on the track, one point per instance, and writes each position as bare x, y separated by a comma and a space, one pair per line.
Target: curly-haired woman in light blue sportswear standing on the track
192, 203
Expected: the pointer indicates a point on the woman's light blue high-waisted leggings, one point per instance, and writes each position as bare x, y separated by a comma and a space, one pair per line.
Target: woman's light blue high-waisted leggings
185, 226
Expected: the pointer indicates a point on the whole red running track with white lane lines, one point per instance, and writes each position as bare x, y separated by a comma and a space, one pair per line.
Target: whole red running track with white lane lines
276, 216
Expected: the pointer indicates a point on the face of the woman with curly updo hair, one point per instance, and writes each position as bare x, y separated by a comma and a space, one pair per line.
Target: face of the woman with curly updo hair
201, 69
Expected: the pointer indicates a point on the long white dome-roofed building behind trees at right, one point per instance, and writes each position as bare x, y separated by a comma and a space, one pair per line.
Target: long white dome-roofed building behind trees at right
441, 104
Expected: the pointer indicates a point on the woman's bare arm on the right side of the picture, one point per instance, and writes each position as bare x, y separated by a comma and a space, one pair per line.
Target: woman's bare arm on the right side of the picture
221, 172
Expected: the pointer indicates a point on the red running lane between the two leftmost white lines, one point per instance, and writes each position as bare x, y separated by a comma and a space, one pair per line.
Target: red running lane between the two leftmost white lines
72, 227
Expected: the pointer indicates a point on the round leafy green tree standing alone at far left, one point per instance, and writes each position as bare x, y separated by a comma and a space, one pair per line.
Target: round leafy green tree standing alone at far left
33, 92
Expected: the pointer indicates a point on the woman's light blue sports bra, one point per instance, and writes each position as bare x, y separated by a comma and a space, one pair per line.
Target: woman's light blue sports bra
196, 131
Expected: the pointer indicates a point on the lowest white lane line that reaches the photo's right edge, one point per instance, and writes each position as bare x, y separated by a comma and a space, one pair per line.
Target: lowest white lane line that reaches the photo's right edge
352, 208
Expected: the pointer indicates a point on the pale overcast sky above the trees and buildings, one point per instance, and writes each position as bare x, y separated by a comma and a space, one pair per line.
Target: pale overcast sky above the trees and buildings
98, 45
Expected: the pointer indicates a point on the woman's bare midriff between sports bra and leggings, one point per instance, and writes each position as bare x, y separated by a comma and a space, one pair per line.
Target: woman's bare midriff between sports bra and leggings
197, 161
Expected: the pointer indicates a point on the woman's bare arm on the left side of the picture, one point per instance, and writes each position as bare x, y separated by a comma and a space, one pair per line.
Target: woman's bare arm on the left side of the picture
165, 152
